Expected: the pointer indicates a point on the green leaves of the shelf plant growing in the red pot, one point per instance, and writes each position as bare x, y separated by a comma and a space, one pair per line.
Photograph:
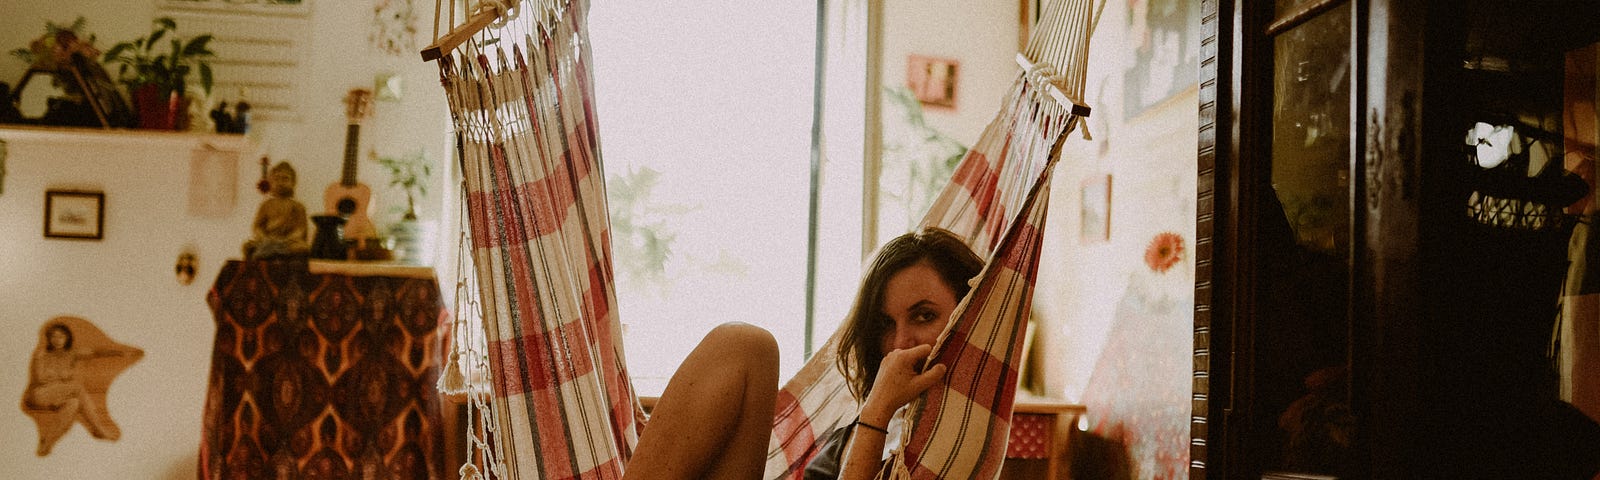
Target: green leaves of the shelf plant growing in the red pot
143, 62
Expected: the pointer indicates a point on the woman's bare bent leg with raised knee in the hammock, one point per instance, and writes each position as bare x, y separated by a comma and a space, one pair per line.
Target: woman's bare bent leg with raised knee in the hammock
716, 417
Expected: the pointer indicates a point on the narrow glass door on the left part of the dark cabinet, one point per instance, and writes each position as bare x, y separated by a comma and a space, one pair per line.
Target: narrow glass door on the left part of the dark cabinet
1302, 422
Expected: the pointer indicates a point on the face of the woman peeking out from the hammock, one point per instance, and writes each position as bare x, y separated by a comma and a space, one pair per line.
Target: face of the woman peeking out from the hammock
918, 305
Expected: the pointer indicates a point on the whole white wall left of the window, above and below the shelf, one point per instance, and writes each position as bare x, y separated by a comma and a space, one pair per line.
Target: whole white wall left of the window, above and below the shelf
126, 282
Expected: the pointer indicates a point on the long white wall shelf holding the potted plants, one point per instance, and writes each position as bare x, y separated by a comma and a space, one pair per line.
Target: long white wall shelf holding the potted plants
122, 137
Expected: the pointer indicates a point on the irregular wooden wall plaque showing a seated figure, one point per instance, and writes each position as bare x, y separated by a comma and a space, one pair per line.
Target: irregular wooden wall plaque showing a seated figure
70, 374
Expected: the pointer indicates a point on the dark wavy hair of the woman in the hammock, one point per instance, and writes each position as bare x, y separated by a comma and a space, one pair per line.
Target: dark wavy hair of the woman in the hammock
863, 330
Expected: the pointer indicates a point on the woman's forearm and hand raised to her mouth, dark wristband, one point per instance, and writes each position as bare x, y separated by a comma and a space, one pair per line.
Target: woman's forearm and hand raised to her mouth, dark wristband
898, 383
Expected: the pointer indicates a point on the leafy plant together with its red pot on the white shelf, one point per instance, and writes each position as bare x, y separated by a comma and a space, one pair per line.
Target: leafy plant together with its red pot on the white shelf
156, 73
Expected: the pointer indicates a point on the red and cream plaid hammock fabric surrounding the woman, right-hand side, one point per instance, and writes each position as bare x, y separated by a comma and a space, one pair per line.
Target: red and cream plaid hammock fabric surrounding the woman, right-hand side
998, 201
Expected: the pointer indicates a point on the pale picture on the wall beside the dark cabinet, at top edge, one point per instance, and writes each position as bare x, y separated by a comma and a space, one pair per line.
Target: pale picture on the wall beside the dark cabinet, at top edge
1164, 54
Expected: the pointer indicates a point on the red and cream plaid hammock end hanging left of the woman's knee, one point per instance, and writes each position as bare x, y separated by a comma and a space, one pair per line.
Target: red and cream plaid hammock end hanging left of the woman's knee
537, 210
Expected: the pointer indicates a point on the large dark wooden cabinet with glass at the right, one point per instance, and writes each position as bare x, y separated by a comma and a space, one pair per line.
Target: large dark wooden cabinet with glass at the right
1369, 305
